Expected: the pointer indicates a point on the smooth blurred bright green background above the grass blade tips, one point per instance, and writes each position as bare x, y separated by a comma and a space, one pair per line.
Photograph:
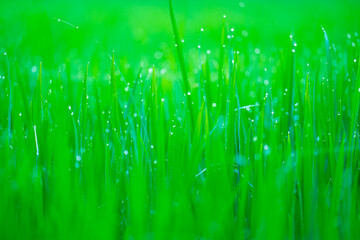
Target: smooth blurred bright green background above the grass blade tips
136, 30
